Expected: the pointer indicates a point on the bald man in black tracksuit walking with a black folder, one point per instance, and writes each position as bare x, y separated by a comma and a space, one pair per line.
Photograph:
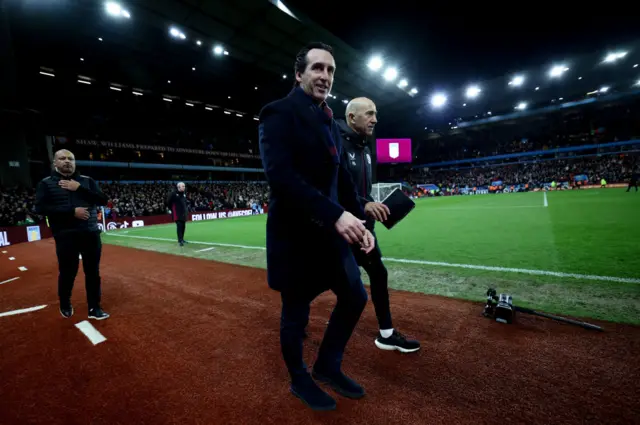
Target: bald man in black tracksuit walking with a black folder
361, 118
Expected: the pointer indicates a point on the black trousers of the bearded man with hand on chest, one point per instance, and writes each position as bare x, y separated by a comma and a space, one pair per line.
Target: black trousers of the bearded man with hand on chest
69, 246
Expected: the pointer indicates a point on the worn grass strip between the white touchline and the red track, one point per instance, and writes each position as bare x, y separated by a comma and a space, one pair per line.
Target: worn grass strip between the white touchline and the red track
608, 301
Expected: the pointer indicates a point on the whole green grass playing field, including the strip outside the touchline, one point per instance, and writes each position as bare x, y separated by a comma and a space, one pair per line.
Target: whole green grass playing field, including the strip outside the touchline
578, 256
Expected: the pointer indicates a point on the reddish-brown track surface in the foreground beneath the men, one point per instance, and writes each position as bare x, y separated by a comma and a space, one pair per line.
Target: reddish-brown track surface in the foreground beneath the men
191, 341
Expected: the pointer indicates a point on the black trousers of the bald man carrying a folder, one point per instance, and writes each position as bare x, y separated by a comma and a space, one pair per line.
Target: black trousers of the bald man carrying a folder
379, 278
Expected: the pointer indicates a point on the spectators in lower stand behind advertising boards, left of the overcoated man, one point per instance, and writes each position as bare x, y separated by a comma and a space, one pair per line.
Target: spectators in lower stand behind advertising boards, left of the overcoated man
135, 200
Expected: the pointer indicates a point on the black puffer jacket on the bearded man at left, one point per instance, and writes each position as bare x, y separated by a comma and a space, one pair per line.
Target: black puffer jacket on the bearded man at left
59, 204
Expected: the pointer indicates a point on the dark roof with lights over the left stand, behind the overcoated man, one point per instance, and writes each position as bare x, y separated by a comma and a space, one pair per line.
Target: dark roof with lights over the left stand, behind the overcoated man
155, 49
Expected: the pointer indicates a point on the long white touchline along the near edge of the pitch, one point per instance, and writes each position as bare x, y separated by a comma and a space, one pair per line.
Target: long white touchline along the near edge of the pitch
438, 263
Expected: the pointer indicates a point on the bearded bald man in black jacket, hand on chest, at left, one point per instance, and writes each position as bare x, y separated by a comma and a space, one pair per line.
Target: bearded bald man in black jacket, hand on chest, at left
70, 201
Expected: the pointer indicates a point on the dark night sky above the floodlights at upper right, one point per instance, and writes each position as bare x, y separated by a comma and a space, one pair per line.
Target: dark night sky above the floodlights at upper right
442, 47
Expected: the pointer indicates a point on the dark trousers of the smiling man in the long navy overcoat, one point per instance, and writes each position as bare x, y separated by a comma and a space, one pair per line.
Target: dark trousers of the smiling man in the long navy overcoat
296, 305
